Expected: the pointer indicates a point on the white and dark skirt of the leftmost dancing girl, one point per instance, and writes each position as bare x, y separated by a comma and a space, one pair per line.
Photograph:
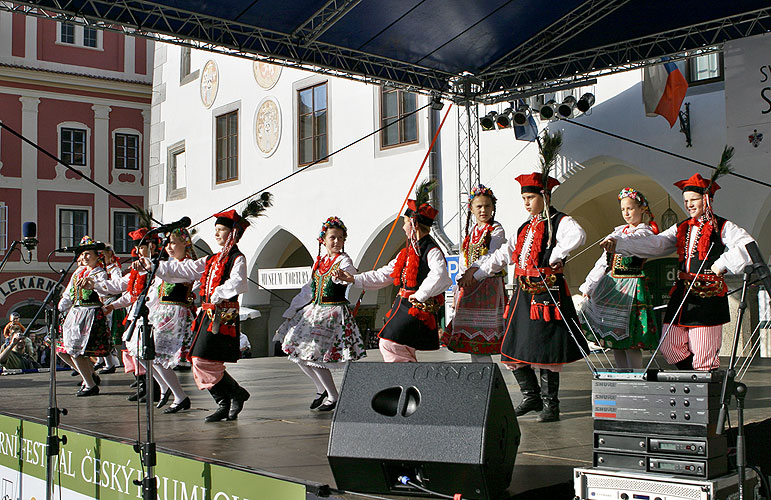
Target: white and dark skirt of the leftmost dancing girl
85, 332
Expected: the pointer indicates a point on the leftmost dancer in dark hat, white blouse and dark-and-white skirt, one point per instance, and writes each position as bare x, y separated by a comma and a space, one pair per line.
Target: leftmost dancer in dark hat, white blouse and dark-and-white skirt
85, 331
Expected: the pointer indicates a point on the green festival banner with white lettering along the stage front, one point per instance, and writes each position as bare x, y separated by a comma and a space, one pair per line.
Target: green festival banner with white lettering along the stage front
89, 467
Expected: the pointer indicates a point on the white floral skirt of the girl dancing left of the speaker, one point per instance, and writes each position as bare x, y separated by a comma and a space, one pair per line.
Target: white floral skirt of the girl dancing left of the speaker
322, 336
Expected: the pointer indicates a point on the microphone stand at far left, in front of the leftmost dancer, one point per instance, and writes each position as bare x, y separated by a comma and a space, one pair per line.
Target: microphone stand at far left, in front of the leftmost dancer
53, 440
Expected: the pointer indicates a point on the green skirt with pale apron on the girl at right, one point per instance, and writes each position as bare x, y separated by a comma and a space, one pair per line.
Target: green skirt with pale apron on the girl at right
620, 315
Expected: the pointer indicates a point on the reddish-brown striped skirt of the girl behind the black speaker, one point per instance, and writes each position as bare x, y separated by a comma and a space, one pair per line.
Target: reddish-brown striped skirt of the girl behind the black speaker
478, 325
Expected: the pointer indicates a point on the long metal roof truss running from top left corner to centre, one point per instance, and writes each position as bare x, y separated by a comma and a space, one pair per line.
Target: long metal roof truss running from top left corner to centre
183, 27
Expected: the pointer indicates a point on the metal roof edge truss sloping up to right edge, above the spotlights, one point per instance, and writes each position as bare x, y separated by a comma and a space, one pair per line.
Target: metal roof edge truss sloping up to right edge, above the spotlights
643, 51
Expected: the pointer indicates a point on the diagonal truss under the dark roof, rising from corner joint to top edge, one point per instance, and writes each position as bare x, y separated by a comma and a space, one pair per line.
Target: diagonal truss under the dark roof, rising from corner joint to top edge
559, 32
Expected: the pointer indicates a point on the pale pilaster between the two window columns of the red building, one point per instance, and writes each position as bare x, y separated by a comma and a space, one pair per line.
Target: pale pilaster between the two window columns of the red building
100, 165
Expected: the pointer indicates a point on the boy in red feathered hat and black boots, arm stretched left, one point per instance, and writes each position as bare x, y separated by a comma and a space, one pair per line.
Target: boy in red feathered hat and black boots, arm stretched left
216, 329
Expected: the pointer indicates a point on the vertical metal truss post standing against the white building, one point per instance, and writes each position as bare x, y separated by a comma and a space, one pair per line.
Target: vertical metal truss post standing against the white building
468, 158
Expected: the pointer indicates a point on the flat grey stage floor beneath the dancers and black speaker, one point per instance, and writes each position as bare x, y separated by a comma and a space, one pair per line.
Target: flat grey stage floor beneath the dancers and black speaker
277, 433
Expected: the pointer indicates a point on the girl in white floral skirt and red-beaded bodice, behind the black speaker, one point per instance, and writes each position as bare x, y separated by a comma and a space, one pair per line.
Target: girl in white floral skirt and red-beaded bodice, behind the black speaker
320, 333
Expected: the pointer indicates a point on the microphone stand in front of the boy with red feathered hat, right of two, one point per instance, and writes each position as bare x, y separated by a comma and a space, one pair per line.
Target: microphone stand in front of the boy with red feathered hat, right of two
147, 450
